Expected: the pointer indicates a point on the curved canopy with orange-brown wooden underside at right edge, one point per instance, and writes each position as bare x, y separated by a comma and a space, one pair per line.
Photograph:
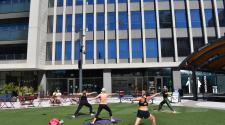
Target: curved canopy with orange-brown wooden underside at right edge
210, 57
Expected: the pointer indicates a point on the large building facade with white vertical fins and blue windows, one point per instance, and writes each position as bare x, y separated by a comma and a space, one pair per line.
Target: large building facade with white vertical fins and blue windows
129, 45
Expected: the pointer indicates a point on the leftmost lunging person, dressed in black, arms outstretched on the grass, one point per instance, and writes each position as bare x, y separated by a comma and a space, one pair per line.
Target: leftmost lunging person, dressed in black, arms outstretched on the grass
83, 102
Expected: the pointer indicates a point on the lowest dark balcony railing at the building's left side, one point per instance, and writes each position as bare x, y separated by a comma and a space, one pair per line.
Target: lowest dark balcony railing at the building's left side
13, 57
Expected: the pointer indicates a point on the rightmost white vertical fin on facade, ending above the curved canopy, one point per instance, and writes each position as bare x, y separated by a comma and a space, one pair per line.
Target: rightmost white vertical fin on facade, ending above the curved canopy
216, 19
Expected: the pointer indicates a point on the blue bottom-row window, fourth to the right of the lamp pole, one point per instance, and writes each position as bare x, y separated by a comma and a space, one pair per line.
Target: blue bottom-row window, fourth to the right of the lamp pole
124, 49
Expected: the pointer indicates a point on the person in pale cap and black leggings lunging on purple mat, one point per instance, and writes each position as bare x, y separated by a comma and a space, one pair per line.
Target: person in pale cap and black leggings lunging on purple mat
103, 105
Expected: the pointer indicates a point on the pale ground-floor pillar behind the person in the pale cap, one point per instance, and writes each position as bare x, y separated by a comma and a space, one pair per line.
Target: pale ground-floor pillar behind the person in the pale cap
107, 80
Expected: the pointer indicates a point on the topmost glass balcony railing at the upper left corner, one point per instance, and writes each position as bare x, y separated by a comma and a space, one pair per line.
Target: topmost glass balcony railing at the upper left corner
14, 7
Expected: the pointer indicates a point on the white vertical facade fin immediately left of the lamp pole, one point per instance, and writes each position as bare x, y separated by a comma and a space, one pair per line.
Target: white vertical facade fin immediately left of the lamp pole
73, 31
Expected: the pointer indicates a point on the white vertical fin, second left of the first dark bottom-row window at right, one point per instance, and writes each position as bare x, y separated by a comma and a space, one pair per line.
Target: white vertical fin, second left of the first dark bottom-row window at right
143, 31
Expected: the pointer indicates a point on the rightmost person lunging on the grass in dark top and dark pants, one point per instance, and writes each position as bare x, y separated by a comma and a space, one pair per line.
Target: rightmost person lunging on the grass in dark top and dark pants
165, 100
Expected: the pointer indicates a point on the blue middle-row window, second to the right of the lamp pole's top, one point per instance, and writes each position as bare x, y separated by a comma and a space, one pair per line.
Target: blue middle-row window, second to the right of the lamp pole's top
100, 21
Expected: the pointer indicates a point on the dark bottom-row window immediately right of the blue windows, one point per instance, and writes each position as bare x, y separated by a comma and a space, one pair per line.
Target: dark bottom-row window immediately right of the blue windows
167, 47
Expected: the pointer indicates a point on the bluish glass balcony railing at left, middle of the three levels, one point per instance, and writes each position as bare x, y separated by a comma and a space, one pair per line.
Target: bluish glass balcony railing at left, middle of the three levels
9, 35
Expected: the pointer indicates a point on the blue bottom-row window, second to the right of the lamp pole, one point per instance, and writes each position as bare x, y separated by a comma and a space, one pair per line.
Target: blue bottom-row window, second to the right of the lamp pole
100, 49
